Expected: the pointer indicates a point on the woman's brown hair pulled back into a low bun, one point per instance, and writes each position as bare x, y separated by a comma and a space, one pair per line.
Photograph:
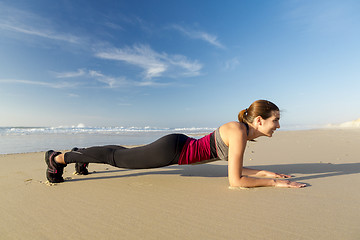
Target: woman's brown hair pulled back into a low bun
261, 108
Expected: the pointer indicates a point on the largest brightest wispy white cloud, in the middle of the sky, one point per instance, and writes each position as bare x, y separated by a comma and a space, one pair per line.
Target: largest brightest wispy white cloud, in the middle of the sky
155, 64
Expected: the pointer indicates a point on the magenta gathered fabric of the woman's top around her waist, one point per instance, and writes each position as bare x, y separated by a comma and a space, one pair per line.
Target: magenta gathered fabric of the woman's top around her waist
195, 150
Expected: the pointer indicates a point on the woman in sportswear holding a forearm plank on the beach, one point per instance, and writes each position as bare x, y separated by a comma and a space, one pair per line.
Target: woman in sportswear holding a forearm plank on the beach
228, 142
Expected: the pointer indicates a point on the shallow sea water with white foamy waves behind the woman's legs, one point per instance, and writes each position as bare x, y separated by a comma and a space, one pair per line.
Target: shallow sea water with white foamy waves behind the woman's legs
35, 139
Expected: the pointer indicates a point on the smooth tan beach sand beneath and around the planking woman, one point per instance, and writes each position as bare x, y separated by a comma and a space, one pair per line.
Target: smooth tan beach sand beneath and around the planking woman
192, 202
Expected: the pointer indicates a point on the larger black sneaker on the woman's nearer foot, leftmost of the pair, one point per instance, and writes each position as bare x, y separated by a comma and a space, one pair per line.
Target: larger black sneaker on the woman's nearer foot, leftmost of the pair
55, 170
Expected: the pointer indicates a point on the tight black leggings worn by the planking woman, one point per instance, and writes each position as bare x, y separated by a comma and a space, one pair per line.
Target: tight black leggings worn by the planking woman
163, 152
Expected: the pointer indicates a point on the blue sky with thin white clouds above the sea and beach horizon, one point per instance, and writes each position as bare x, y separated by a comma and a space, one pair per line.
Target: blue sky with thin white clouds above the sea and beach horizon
184, 63
